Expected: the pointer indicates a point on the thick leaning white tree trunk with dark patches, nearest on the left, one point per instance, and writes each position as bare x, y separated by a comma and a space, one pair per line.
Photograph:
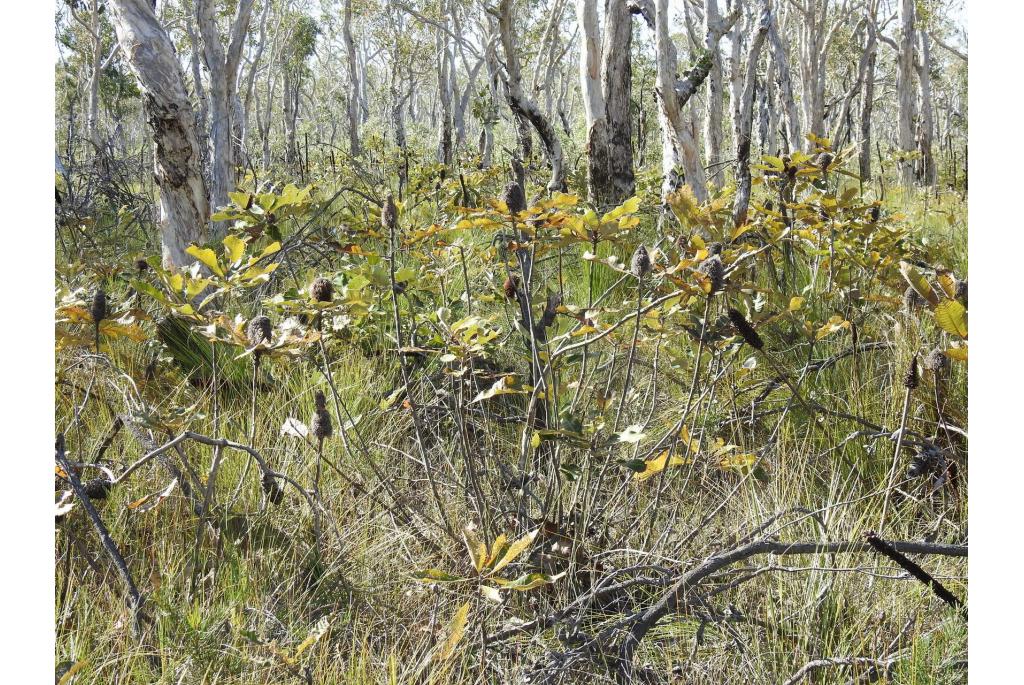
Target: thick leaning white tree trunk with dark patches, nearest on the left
184, 203
